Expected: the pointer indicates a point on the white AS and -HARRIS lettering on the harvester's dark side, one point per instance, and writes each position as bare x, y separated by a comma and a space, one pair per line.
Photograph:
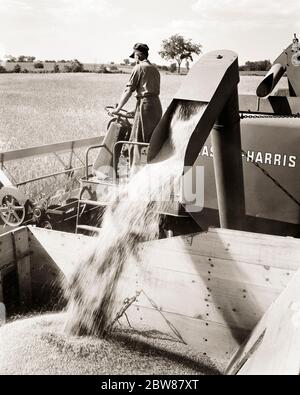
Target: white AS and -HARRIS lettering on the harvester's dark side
263, 158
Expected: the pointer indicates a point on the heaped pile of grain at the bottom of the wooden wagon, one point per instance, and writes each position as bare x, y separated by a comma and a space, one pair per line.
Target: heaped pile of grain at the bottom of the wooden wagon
39, 345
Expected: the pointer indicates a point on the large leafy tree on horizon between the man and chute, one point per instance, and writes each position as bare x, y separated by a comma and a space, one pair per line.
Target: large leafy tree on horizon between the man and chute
179, 48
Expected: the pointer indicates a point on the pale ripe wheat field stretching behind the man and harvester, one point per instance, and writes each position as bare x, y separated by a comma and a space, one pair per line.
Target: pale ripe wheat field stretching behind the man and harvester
37, 109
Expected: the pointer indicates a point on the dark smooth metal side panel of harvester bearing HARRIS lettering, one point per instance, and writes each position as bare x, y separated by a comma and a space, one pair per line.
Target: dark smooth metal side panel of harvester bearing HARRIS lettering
271, 153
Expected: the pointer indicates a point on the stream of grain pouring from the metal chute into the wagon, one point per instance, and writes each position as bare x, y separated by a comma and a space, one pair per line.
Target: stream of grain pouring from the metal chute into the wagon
131, 219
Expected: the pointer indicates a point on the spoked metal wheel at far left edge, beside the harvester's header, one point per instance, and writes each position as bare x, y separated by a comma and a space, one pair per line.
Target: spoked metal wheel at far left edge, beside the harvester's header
12, 206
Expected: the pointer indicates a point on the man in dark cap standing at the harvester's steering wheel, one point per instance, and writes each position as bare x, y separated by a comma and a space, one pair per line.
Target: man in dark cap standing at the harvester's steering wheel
145, 81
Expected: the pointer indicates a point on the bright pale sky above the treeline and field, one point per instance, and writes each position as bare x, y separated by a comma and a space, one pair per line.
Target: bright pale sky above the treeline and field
106, 30
